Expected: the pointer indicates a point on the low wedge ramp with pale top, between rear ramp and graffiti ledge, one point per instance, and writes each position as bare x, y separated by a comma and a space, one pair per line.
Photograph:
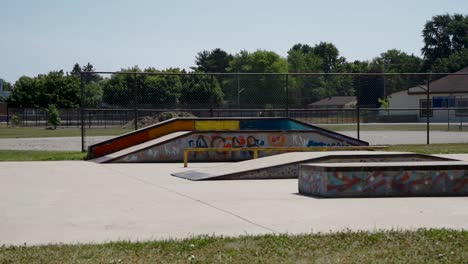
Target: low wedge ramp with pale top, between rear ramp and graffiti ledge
284, 166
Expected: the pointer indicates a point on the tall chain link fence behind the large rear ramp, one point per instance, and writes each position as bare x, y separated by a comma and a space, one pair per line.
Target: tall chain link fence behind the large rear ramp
393, 108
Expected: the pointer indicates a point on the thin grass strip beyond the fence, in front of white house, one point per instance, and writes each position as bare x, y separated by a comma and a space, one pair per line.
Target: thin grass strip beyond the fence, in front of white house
396, 127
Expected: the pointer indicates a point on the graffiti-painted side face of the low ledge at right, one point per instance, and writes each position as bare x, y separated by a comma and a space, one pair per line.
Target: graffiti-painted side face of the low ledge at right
382, 182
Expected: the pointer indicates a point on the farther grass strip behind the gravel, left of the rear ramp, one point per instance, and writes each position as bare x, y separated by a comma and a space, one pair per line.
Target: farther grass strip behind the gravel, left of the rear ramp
32, 132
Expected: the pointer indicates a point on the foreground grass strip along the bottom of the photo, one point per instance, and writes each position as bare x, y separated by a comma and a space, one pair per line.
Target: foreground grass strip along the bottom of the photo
421, 246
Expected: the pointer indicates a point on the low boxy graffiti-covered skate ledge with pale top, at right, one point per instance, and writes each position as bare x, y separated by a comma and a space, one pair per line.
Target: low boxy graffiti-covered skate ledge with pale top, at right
433, 178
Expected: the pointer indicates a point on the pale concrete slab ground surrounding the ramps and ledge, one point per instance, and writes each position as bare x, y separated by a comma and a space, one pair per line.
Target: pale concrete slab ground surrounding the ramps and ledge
78, 202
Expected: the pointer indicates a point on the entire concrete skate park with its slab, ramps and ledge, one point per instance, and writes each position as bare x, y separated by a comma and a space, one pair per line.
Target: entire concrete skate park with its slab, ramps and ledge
227, 189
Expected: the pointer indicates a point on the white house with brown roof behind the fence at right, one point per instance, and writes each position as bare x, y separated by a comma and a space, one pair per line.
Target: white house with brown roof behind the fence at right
445, 93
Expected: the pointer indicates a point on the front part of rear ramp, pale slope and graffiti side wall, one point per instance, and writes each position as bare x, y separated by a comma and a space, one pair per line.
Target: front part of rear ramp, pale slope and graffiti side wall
214, 146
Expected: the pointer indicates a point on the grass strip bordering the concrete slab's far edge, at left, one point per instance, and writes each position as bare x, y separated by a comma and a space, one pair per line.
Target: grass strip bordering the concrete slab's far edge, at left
31, 155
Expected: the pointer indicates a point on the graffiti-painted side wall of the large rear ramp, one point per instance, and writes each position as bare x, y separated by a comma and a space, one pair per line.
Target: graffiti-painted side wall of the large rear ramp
173, 150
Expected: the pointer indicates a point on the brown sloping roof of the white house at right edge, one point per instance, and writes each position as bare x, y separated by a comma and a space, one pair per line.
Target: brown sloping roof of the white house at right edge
447, 84
